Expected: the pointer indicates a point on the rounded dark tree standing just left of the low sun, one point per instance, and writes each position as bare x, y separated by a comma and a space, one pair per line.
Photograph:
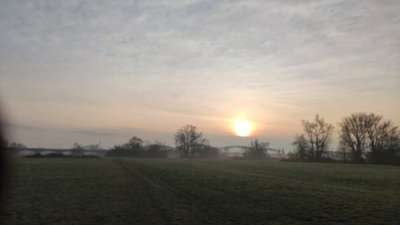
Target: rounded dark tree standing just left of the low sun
187, 139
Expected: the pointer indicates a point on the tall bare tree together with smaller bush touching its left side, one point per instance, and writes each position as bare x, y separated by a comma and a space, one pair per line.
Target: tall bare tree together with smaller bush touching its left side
314, 142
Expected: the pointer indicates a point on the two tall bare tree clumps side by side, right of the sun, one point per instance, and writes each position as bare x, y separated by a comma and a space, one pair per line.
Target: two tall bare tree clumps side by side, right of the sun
363, 137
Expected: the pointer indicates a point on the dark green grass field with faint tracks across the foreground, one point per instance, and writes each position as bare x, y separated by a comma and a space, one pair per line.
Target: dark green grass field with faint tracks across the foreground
115, 191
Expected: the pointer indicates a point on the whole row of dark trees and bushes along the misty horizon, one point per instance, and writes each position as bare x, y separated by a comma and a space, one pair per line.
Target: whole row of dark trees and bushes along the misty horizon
363, 138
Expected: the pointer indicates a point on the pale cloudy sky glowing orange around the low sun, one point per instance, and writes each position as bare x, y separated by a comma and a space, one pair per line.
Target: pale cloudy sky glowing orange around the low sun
103, 71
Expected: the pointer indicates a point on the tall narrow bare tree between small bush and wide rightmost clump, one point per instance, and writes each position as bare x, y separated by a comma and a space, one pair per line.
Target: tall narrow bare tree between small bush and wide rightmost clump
318, 134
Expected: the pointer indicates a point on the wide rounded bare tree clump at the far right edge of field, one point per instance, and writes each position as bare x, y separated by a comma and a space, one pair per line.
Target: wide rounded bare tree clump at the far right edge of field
368, 136
